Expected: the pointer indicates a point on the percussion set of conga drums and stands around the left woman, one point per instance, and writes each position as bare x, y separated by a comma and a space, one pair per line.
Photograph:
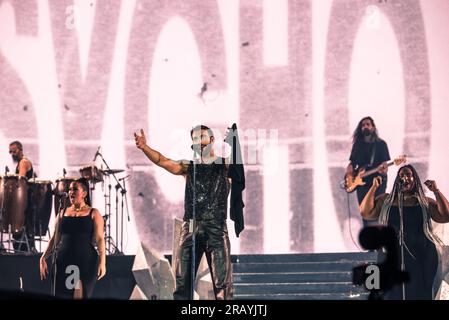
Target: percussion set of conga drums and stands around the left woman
26, 205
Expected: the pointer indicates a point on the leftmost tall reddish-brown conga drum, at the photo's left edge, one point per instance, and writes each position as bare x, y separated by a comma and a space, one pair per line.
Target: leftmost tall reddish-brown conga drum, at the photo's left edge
13, 202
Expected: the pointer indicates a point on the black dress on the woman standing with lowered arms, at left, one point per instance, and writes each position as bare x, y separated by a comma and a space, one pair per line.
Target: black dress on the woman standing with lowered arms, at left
75, 251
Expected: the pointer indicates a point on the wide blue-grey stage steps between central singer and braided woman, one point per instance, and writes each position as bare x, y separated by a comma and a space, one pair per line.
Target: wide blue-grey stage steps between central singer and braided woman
326, 276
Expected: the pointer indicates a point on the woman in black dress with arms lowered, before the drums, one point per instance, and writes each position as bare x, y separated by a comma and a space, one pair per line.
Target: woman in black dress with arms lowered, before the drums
78, 265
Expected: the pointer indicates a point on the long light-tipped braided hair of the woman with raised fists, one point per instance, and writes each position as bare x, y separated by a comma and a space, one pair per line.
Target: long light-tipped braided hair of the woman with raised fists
422, 200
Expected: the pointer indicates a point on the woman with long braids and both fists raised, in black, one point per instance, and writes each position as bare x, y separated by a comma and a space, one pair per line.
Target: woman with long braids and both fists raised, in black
420, 243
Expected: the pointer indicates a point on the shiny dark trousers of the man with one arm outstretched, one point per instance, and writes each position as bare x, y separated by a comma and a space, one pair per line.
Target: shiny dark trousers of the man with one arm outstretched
211, 237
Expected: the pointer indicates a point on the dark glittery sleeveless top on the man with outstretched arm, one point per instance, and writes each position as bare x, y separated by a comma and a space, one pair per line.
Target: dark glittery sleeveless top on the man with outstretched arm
211, 191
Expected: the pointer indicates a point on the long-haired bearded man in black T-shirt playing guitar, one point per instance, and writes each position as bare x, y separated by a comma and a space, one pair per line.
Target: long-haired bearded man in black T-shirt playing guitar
368, 152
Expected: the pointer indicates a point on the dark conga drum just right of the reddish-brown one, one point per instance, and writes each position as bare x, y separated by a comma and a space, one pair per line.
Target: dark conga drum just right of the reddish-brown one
39, 207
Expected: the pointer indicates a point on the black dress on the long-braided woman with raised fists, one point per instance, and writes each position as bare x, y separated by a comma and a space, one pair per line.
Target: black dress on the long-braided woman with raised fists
423, 265
